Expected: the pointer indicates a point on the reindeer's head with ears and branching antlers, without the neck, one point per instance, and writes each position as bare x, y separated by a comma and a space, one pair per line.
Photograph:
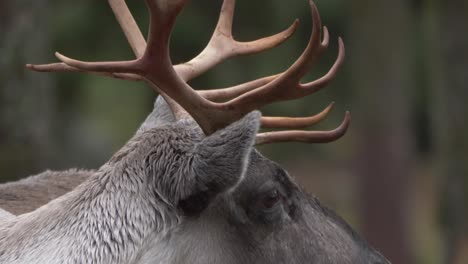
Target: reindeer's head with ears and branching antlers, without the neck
196, 151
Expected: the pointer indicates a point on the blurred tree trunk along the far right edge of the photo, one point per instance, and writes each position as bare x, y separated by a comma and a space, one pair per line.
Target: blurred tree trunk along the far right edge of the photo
447, 58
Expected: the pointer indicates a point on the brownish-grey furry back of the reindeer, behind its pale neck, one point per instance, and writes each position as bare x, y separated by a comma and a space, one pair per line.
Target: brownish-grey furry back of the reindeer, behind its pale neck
28, 194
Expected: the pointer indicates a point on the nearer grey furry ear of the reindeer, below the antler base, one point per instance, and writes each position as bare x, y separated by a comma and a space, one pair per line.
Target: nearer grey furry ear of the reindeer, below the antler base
220, 162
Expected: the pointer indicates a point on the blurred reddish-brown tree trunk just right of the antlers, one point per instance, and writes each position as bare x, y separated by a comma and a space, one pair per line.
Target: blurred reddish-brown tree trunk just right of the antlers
380, 46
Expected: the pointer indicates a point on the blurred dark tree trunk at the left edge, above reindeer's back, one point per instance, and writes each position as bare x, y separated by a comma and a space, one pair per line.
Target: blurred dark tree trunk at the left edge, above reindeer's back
26, 101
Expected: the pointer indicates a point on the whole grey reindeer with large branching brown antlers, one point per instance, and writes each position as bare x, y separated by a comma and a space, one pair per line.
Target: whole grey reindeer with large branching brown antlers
189, 186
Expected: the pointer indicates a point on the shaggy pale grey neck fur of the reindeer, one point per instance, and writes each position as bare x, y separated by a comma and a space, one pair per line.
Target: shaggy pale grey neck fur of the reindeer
108, 219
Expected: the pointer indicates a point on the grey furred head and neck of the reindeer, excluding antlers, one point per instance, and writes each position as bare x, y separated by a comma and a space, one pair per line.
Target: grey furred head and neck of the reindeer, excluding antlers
162, 199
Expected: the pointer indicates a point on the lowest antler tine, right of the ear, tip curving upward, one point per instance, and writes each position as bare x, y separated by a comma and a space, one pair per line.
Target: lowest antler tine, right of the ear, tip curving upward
304, 136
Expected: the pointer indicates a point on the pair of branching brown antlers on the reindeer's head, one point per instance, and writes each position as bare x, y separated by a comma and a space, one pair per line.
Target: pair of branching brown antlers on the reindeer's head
154, 65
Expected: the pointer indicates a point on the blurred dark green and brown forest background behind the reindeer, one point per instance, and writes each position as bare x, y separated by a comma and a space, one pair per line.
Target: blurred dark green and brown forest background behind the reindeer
399, 176
